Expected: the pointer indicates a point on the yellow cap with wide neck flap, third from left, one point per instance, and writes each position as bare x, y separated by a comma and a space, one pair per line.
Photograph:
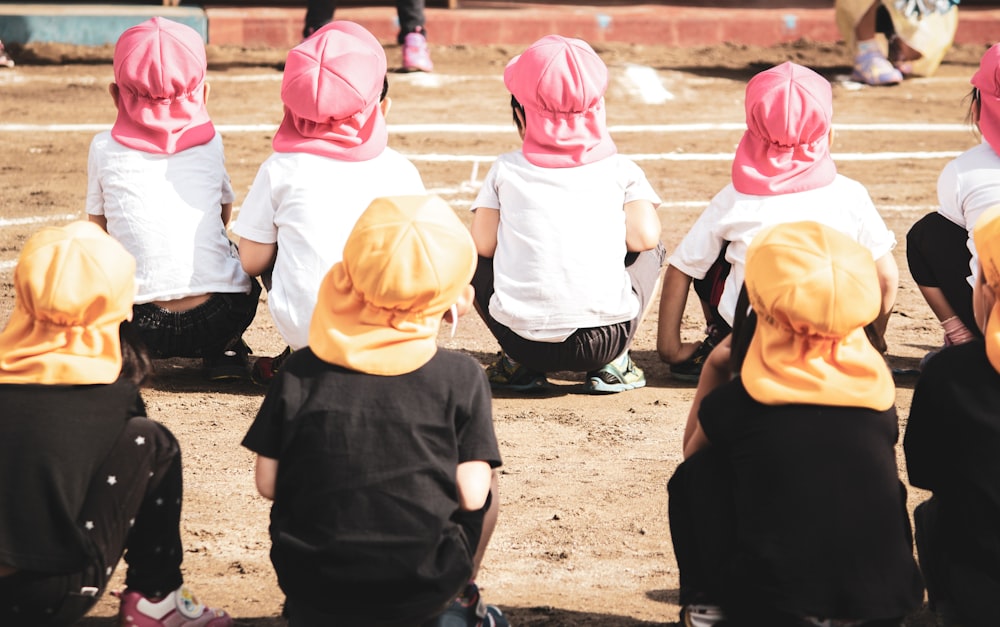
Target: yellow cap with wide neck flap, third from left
814, 289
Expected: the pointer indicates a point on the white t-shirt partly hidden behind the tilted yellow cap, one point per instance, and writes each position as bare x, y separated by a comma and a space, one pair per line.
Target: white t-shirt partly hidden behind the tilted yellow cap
308, 205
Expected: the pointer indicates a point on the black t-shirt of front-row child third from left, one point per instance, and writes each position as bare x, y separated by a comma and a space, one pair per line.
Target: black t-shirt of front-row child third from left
821, 519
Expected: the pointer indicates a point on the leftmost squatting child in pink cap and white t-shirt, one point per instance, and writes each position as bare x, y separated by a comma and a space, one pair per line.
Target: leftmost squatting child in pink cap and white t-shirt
157, 183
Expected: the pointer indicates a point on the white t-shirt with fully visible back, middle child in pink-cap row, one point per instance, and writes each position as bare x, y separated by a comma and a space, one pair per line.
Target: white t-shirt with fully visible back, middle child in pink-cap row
559, 263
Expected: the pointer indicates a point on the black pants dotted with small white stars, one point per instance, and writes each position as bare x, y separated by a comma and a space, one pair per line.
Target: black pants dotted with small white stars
133, 505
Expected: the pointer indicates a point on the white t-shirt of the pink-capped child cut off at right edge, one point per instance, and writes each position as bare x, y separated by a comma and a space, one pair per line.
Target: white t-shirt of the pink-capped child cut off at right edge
968, 186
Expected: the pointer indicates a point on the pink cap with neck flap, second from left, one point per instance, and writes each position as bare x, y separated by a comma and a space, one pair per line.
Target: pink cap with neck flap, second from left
331, 89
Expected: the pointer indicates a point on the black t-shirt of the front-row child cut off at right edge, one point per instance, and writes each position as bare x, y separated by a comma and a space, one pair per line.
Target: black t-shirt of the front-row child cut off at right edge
952, 447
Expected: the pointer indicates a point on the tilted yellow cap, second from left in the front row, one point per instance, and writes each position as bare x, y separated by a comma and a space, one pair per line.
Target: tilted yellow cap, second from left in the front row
405, 263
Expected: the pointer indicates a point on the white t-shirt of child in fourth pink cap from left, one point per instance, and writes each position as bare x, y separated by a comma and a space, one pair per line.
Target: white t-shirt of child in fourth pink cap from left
844, 205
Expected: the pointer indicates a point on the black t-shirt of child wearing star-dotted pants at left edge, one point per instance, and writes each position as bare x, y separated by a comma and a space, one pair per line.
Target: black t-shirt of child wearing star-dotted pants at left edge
52, 440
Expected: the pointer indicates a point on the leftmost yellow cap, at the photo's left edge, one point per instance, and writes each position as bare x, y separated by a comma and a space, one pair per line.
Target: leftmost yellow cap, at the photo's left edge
74, 285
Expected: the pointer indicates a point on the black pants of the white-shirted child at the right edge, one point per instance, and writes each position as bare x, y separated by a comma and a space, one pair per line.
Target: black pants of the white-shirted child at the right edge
937, 254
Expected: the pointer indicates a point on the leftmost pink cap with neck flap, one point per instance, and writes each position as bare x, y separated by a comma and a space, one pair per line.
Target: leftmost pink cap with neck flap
160, 70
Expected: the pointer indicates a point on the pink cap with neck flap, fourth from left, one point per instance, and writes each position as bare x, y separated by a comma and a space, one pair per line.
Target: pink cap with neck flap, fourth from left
786, 147
